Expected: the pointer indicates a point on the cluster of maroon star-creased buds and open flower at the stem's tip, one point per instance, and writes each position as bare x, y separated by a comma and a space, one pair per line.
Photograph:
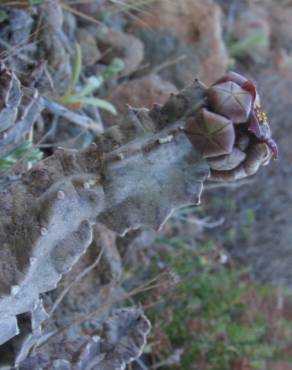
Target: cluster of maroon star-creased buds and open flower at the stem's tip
232, 132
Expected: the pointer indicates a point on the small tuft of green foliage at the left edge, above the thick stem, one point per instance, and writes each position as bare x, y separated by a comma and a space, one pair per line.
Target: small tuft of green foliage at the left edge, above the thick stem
24, 152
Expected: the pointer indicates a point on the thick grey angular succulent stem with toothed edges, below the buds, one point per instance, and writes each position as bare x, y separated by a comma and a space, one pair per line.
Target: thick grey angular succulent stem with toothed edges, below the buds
136, 175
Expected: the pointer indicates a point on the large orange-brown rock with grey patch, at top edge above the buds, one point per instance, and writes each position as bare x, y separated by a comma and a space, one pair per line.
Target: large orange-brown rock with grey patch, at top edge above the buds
190, 28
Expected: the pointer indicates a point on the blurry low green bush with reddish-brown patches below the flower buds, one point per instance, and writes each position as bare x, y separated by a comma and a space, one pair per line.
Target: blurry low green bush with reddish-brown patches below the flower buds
212, 317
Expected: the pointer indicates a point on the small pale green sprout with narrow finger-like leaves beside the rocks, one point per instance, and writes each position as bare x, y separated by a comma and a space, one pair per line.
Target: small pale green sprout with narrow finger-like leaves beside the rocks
83, 96
